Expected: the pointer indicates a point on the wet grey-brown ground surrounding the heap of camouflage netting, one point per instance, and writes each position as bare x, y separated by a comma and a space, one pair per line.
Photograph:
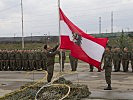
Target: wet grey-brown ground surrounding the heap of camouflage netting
122, 83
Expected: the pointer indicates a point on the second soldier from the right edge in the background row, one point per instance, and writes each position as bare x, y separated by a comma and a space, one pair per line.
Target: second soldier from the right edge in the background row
125, 59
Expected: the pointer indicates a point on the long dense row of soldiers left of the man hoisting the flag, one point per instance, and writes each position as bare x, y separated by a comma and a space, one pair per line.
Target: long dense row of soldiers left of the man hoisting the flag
22, 60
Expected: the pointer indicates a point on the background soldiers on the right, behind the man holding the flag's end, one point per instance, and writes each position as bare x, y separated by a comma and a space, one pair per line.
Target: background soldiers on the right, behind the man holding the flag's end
119, 57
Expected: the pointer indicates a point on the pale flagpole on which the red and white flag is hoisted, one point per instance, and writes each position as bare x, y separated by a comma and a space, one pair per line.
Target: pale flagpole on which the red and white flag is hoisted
60, 36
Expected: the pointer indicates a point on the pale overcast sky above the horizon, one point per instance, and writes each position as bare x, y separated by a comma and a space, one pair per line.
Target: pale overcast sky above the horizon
41, 16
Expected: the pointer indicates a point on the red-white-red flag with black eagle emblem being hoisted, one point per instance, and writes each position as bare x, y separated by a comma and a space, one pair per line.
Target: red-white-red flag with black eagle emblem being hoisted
82, 46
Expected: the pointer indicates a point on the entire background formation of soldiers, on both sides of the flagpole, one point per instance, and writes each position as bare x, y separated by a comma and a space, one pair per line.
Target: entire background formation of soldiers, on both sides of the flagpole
36, 59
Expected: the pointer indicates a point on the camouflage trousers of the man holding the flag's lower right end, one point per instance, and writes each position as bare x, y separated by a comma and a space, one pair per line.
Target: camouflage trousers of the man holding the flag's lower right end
108, 71
